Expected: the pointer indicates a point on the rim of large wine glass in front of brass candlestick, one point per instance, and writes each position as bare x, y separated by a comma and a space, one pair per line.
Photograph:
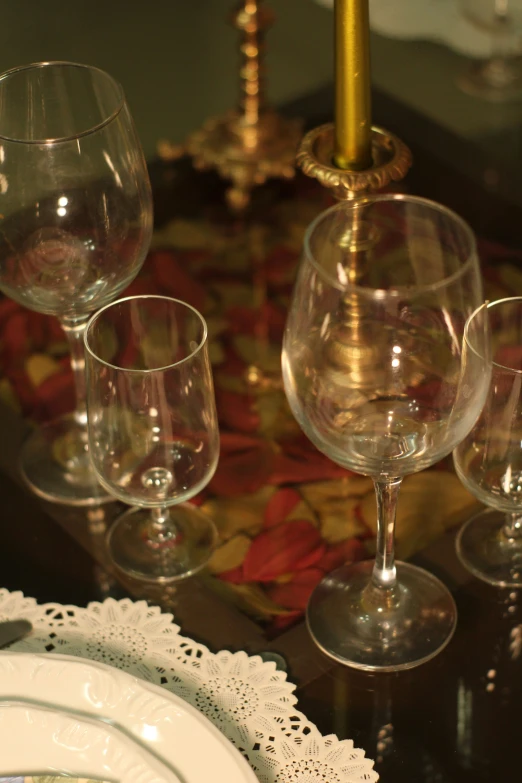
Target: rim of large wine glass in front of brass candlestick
384, 293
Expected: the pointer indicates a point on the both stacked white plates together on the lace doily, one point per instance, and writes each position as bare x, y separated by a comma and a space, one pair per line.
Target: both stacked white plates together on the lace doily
68, 716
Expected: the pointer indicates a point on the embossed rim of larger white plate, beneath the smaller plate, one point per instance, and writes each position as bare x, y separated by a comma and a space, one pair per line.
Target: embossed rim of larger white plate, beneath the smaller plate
157, 721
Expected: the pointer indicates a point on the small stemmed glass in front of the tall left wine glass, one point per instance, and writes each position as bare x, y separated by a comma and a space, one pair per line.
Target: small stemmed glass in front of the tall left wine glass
153, 432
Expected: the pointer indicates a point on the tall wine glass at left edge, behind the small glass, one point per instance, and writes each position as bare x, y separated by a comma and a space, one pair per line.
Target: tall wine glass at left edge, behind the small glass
76, 210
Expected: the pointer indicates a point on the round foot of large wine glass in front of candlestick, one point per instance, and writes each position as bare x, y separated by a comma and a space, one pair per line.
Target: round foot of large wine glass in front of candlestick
351, 621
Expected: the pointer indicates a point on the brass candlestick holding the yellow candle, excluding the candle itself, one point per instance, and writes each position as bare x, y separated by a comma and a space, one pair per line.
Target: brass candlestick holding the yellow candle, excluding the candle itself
354, 352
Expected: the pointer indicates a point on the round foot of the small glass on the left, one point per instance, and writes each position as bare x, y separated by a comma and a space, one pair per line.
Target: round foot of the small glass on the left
180, 551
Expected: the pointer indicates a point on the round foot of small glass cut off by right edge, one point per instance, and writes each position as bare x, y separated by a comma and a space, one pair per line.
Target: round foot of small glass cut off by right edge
485, 550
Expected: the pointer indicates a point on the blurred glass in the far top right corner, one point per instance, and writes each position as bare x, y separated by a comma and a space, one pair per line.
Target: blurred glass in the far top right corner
499, 78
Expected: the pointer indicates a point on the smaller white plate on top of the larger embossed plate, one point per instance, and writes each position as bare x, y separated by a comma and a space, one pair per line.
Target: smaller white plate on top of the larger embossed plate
34, 741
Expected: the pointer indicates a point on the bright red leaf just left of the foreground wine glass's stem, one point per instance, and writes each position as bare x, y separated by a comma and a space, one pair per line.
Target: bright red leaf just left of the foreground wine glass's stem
281, 550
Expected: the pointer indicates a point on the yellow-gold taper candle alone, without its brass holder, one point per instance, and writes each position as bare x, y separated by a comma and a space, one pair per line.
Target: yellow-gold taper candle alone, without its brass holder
352, 85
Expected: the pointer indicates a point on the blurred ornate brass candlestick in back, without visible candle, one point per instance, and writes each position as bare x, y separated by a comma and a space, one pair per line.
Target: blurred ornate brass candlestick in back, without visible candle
251, 144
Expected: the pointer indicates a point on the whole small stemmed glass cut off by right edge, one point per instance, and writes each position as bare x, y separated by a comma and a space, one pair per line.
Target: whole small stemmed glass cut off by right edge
489, 459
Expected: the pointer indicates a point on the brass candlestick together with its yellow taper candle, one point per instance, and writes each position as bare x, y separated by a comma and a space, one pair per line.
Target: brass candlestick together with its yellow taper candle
352, 158
